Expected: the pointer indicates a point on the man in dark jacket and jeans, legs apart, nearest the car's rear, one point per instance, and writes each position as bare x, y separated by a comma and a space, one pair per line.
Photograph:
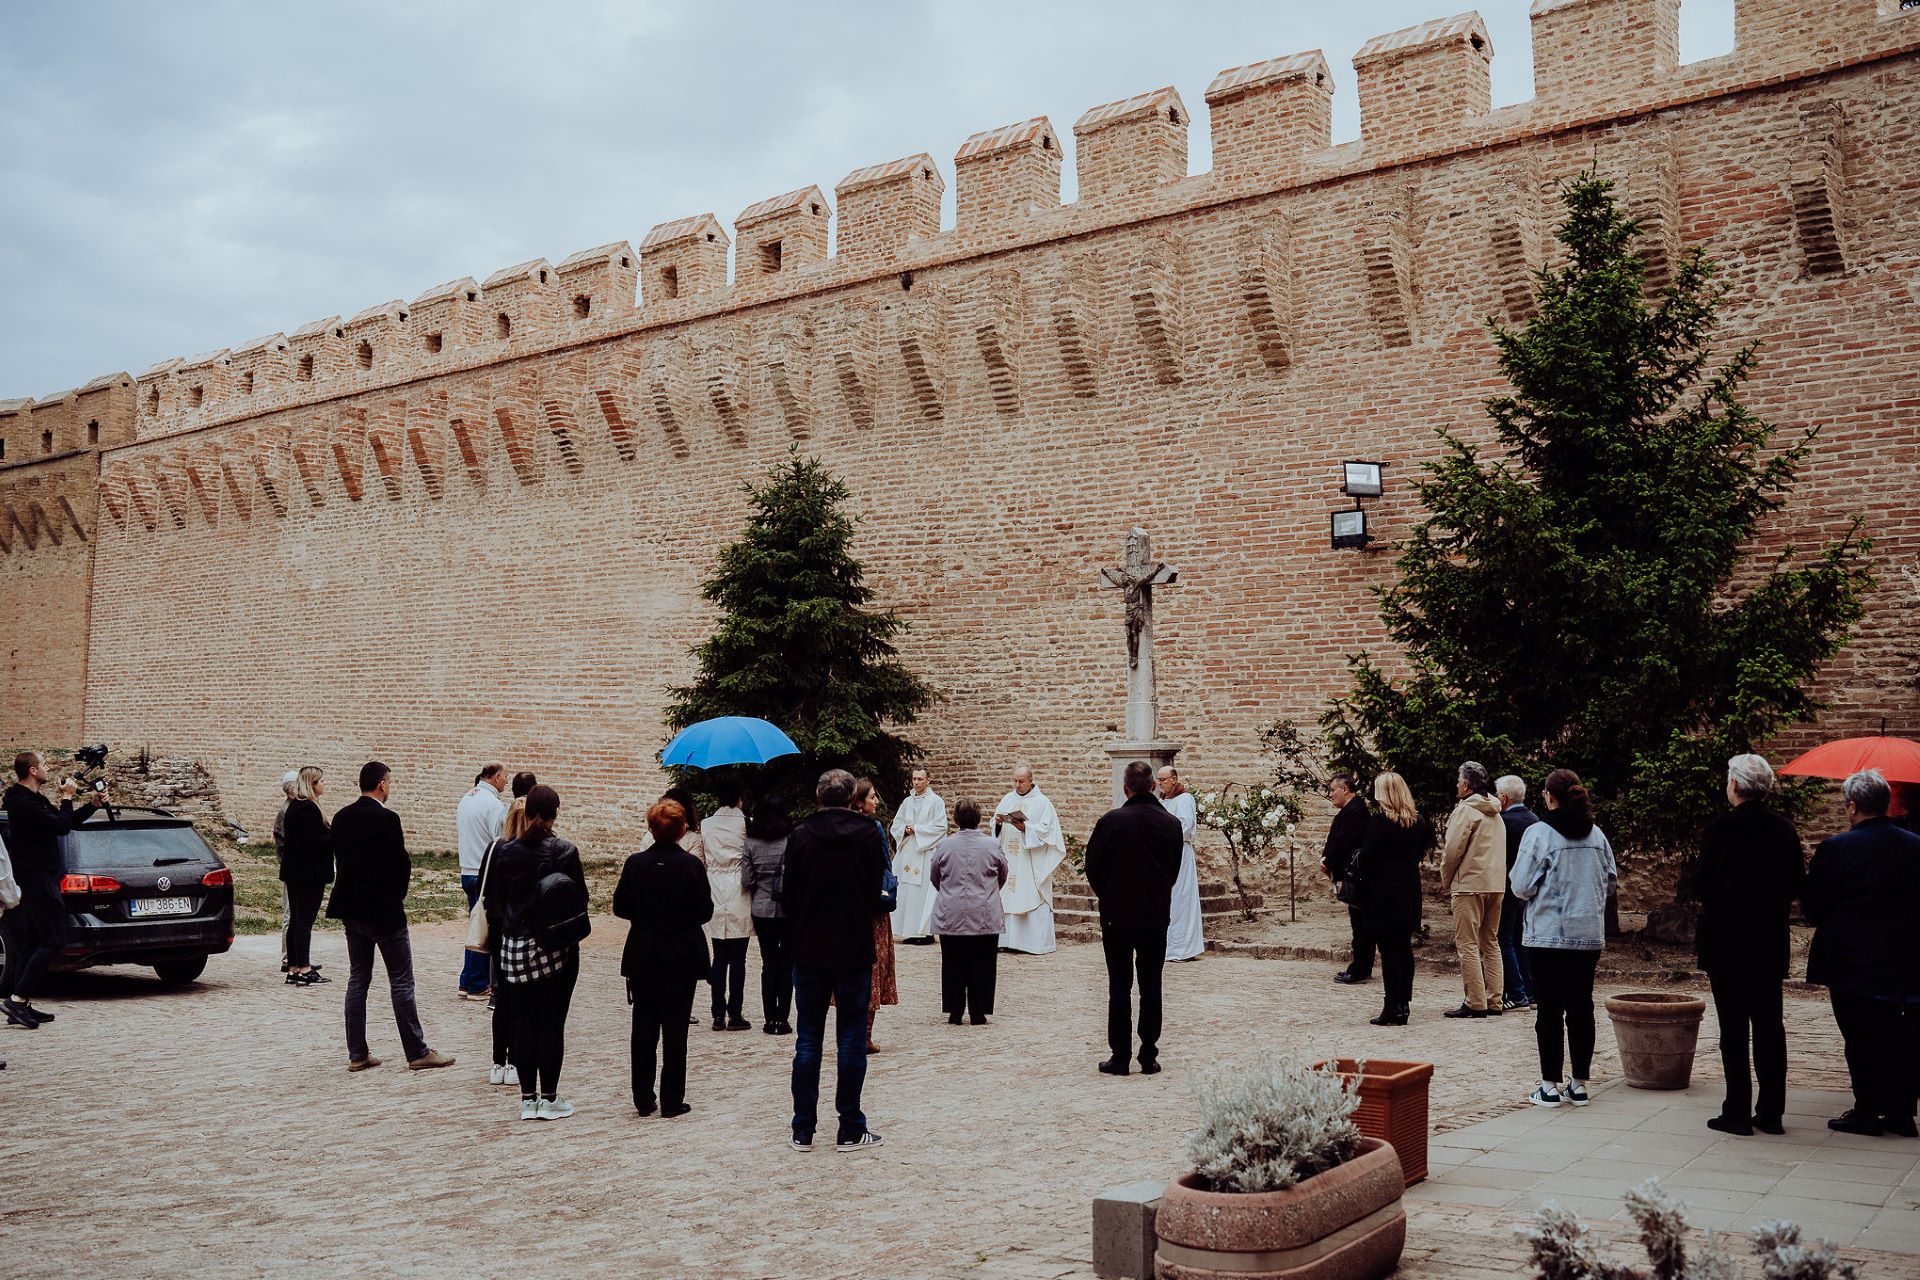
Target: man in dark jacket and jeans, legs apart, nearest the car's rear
372, 901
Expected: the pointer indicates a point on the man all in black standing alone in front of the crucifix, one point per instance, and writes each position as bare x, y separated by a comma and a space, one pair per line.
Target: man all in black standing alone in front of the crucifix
1134, 857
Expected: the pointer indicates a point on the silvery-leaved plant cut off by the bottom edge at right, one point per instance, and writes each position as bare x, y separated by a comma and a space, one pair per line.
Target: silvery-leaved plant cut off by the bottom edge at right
1564, 1250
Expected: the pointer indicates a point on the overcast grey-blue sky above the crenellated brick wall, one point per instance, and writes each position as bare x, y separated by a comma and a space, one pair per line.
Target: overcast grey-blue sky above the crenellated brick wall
183, 178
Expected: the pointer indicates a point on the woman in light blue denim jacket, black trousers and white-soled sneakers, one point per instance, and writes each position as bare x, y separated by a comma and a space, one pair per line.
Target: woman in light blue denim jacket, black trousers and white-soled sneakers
1564, 874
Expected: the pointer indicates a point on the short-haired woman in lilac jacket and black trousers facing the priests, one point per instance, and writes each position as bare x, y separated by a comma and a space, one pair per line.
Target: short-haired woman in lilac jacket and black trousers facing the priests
967, 874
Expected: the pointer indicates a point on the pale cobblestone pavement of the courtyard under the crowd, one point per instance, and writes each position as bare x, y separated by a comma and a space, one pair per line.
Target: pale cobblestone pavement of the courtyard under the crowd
216, 1131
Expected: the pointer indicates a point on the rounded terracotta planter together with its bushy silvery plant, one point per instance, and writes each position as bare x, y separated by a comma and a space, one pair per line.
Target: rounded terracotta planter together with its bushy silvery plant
1284, 1183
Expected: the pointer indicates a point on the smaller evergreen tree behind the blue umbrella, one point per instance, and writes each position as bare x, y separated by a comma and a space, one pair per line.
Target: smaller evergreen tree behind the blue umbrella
798, 646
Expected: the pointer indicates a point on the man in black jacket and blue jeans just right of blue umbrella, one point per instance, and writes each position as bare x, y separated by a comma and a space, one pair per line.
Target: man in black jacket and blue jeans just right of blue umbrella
832, 891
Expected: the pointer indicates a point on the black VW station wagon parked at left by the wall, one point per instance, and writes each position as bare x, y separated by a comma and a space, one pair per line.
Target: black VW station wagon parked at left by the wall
141, 889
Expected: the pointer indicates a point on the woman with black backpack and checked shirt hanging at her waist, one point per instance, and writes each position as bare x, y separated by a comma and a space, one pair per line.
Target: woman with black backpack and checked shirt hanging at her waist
542, 897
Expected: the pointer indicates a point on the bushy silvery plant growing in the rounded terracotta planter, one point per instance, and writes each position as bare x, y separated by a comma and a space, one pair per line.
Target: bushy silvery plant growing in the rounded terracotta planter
1272, 1124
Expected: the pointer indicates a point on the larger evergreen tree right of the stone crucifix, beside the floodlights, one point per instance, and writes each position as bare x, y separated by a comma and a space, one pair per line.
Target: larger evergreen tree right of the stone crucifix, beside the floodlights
1585, 598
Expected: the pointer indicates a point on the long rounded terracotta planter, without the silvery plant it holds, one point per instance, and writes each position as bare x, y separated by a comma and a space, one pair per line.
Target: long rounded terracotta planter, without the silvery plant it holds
1341, 1225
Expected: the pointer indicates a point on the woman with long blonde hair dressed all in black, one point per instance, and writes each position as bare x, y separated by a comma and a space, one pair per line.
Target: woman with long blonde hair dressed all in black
1389, 889
